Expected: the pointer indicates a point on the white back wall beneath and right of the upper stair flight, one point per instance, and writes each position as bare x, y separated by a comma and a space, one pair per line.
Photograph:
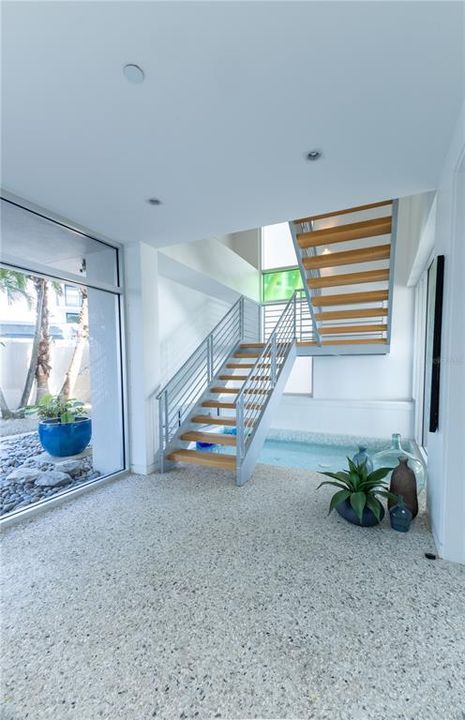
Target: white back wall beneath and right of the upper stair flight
366, 395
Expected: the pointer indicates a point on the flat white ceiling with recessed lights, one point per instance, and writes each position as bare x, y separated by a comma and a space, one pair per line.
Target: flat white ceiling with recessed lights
235, 93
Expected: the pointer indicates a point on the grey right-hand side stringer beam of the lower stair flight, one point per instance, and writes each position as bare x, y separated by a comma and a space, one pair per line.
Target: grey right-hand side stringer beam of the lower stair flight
245, 469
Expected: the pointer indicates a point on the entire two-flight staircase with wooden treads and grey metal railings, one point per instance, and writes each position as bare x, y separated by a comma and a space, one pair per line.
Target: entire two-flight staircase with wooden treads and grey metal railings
226, 392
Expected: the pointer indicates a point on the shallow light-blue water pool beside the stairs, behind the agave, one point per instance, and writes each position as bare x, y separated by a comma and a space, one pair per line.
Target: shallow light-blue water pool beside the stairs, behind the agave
312, 456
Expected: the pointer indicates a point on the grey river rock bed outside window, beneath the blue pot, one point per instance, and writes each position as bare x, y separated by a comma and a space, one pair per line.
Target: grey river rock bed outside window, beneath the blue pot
28, 474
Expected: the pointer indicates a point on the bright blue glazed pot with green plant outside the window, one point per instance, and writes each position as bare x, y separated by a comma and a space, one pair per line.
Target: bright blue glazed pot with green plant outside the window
63, 429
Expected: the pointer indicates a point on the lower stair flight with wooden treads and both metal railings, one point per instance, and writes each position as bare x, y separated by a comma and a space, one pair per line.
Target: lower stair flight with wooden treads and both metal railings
226, 392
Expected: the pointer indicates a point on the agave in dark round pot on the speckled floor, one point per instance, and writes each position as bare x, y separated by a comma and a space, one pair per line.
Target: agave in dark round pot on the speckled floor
357, 498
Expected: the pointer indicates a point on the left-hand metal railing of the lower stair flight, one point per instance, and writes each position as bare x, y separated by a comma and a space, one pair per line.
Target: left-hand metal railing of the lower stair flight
179, 396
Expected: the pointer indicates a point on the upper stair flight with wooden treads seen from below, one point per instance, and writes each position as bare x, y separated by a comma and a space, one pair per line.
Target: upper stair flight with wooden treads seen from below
346, 259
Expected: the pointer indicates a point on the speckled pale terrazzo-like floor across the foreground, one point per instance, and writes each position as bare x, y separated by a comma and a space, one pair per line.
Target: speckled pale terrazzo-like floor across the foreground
185, 597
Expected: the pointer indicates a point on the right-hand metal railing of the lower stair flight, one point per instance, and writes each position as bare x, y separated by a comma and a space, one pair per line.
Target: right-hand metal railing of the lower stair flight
256, 391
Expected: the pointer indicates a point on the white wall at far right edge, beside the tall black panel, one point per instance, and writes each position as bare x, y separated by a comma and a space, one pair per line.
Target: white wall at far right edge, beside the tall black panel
446, 485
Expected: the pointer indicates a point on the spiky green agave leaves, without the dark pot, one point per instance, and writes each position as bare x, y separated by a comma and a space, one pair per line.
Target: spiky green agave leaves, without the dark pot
360, 488
